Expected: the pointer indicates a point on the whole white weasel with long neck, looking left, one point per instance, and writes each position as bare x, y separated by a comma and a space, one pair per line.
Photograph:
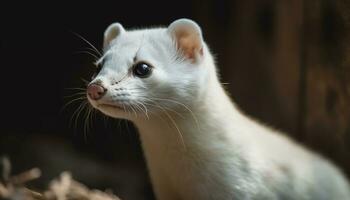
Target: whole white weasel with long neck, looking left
197, 144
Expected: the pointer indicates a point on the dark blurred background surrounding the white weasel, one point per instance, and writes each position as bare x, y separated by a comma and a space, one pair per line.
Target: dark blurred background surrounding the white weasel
286, 63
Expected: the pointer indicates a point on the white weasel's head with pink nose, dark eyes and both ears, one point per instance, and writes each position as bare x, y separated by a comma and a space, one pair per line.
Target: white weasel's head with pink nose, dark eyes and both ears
147, 71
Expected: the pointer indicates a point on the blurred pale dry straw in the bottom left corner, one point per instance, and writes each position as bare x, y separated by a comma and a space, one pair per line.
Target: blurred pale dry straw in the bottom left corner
62, 188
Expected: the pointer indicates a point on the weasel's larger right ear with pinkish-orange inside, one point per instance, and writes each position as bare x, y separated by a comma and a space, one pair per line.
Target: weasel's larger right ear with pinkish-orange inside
188, 37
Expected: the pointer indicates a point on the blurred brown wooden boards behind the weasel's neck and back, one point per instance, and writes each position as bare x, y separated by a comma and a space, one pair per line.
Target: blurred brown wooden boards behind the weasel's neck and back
288, 65
